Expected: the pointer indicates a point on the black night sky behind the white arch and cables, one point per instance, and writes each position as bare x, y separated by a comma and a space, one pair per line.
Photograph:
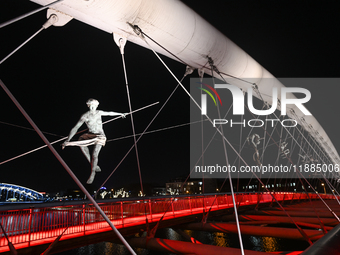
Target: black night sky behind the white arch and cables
54, 74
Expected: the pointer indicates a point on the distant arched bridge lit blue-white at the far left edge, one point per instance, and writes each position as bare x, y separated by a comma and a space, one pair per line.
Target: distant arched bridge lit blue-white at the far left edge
10, 192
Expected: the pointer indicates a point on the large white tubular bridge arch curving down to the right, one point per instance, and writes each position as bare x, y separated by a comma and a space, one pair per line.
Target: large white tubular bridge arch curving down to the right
187, 36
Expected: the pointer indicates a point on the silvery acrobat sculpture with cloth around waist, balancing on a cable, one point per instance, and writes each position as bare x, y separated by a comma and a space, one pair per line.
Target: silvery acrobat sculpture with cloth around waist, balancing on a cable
95, 135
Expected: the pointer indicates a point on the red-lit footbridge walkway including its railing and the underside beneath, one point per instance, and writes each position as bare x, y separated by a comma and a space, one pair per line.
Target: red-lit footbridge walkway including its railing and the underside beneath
31, 230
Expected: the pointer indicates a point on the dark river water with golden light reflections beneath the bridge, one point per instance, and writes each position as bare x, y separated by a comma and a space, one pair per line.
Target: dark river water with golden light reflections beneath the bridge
264, 244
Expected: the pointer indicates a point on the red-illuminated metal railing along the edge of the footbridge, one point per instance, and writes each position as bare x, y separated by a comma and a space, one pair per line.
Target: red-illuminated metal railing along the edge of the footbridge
29, 227
